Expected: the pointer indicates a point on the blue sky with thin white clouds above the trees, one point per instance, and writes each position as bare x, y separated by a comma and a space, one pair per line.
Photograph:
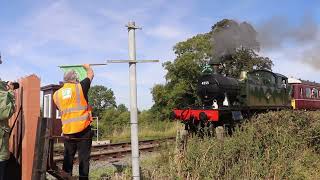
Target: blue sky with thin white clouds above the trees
36, 36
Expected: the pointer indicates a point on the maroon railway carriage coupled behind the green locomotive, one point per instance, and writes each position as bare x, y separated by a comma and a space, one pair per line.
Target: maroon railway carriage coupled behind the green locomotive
305, 94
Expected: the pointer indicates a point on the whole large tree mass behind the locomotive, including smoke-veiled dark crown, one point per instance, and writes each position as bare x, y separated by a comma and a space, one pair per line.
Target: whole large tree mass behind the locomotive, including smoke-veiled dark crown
237, 53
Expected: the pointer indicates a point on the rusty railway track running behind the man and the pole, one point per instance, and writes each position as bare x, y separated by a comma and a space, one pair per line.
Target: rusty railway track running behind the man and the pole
116, 151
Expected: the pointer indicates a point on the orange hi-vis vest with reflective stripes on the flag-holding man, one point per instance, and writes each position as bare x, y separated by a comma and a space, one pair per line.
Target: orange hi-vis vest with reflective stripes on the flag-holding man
74, 109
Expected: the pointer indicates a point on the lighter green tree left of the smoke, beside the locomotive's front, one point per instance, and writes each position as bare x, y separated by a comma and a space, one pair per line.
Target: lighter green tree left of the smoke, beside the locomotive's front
182, 75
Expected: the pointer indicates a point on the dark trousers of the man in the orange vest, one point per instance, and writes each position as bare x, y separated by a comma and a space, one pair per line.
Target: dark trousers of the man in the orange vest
83, 146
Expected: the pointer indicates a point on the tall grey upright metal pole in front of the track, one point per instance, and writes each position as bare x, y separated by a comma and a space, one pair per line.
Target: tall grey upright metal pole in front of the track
133, 102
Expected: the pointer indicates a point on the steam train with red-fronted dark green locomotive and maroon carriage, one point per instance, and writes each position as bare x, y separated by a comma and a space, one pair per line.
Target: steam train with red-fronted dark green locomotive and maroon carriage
227, 101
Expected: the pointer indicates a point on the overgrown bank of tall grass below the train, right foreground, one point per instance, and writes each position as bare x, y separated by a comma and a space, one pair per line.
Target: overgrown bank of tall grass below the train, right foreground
275, 145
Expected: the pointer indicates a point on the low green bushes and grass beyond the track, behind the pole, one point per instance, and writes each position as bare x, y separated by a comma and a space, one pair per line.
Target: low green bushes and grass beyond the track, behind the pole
115, 125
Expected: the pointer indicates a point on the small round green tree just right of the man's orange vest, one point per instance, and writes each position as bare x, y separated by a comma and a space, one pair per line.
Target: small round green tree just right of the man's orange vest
101, 98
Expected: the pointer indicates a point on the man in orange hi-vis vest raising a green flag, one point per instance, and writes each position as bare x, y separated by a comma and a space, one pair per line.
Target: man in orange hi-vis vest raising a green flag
72, 101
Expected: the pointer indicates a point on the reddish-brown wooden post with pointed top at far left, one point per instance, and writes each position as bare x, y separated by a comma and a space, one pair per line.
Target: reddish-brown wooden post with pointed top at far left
22, 140
